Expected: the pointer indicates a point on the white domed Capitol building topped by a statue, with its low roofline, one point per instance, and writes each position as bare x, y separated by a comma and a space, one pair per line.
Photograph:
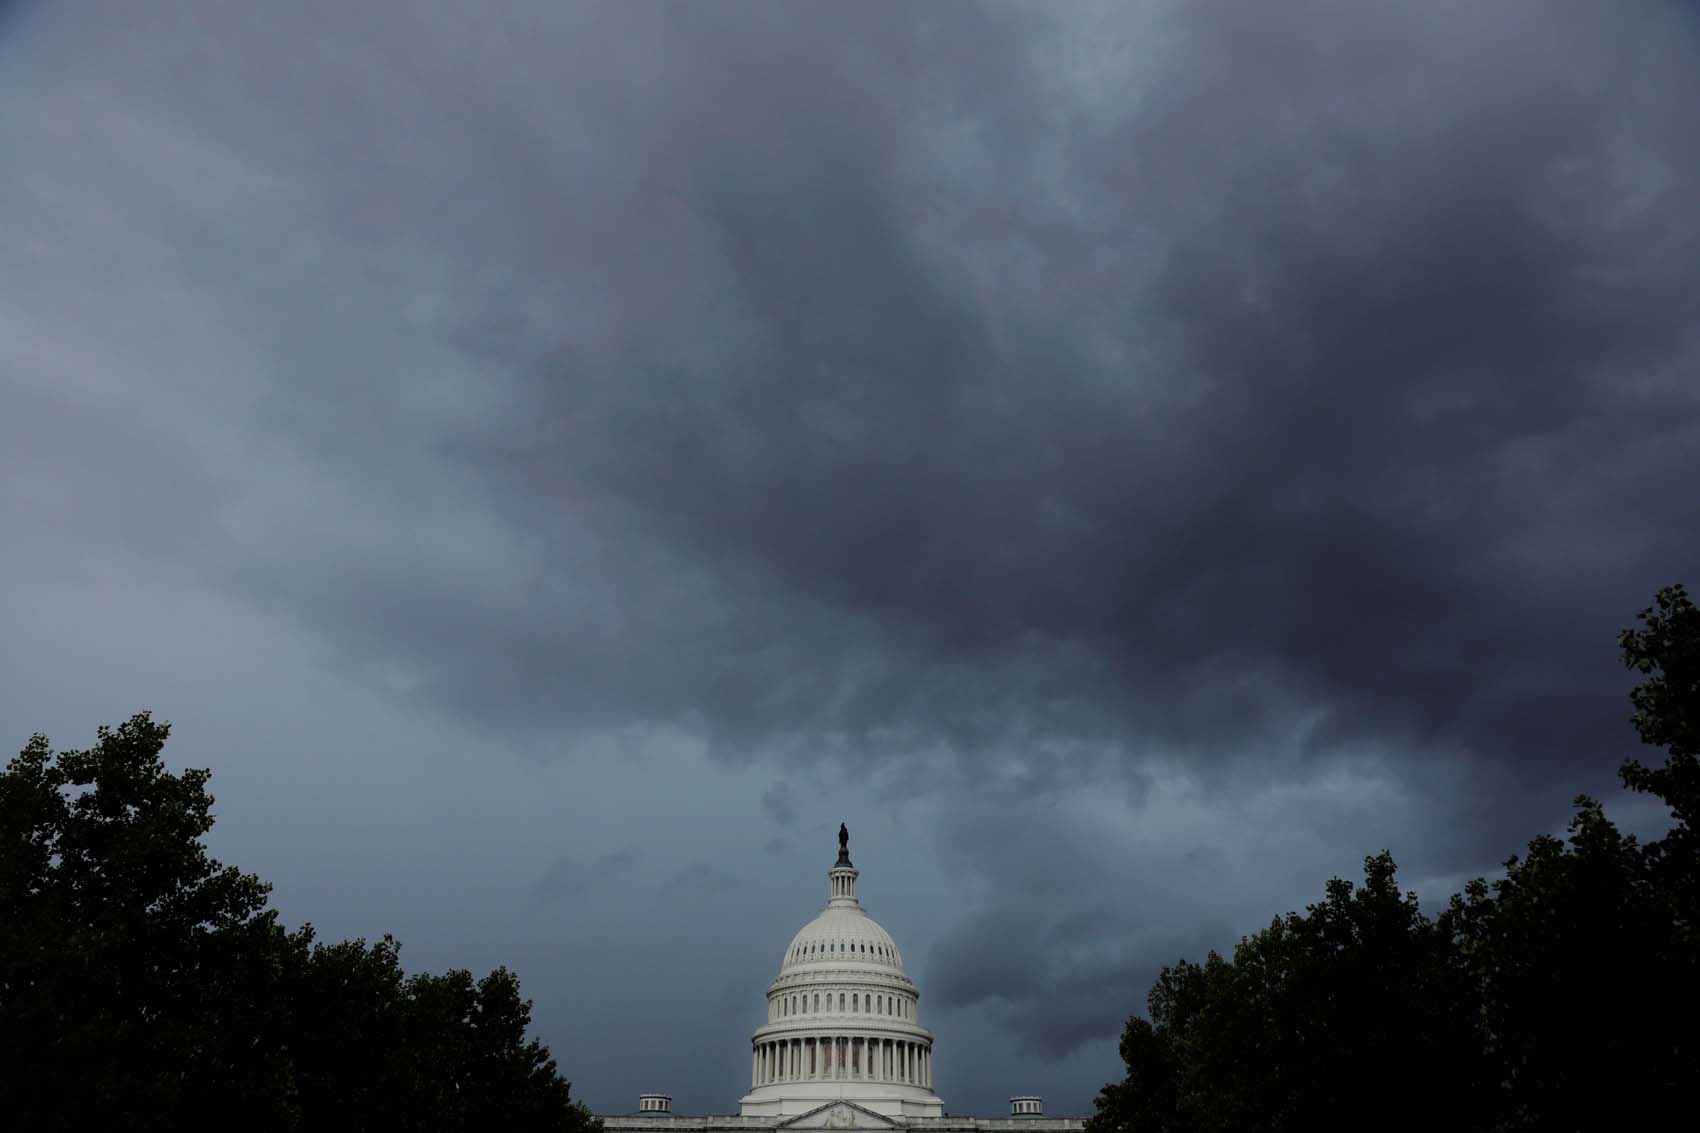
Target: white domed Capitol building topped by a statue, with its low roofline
842, 1047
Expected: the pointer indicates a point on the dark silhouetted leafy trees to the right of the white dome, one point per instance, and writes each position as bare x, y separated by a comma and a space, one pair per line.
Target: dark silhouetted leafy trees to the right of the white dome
1556, 998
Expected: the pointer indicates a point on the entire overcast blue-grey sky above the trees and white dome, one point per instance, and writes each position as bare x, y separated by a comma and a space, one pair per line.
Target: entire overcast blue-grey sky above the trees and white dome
557, 462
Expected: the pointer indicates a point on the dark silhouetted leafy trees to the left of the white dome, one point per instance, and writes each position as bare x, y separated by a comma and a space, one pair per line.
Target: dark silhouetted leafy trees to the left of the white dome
144, 986
